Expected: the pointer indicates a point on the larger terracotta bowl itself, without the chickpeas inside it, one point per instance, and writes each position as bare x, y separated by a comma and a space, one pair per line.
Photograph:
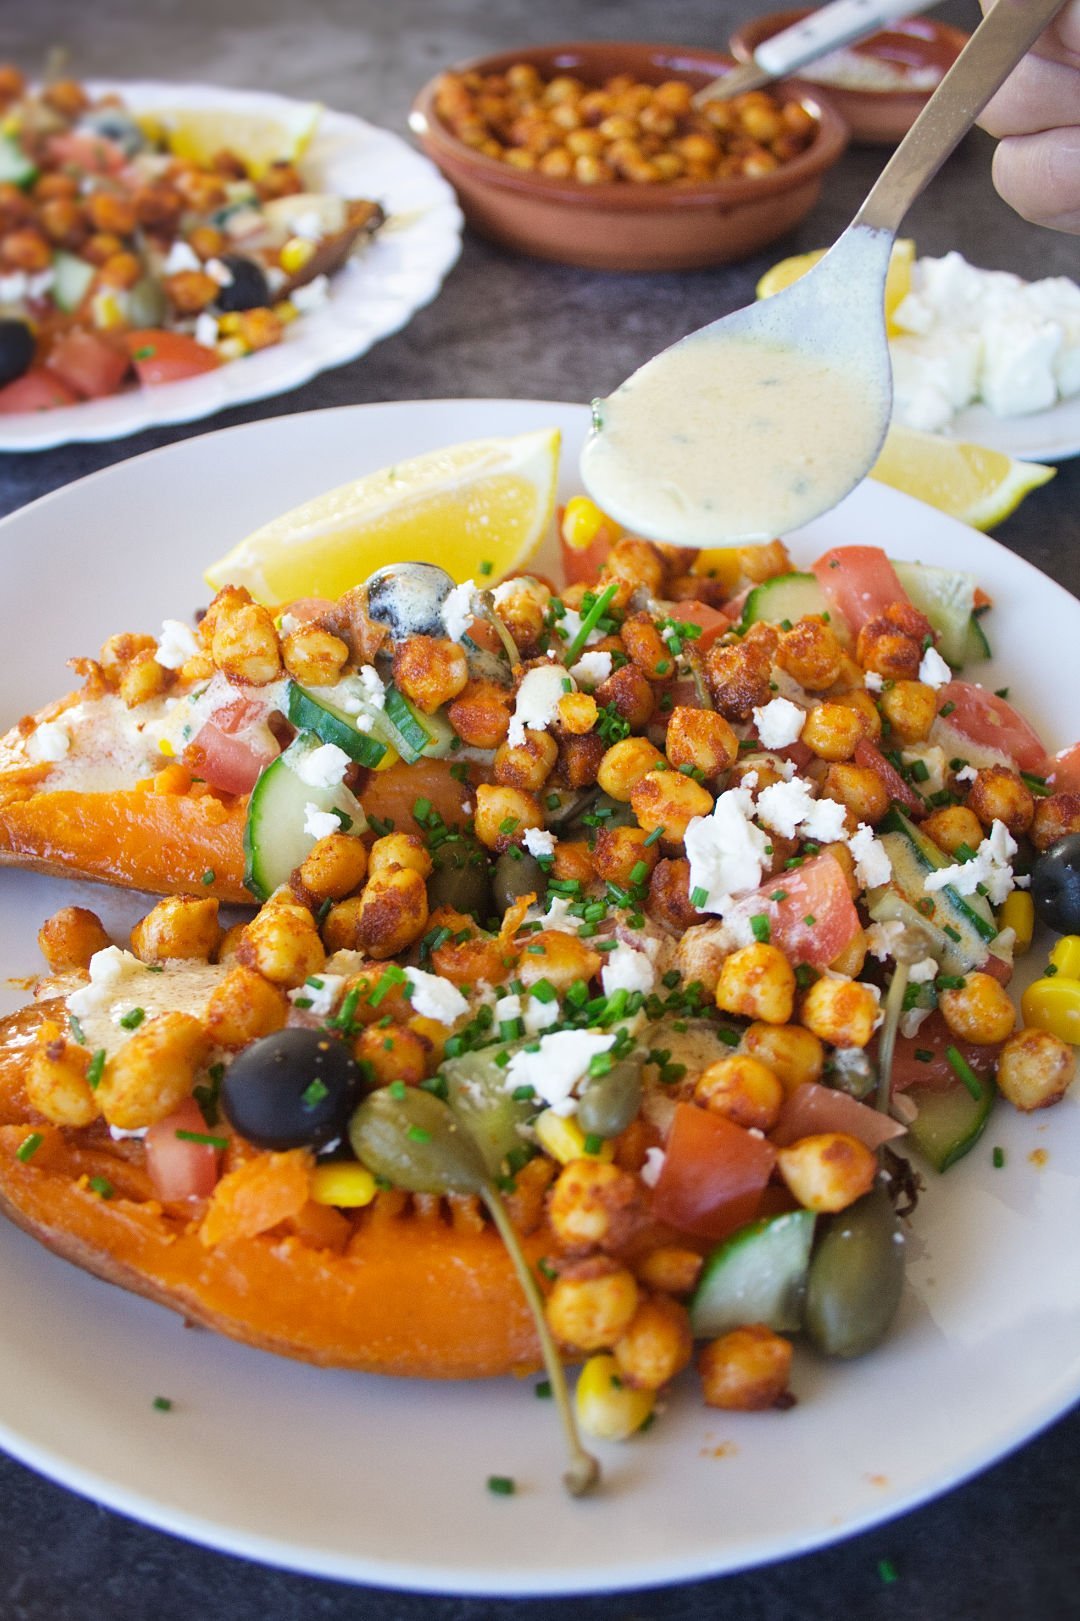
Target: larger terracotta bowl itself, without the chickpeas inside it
624, 226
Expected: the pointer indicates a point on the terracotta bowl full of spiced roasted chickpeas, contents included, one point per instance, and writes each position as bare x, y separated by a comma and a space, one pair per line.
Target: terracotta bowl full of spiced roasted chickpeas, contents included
598, 155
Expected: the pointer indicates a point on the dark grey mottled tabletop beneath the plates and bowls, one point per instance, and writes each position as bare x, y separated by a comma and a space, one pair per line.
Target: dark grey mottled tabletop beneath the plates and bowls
1000, 1547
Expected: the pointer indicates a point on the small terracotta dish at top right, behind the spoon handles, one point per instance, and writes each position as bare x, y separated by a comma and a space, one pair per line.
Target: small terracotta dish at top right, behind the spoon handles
875, 118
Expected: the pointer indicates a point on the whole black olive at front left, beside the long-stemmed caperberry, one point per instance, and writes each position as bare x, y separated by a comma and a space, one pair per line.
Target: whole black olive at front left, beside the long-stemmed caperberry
293, 1090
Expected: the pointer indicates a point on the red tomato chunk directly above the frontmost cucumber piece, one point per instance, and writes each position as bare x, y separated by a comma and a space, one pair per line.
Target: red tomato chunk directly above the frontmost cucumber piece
714, 1174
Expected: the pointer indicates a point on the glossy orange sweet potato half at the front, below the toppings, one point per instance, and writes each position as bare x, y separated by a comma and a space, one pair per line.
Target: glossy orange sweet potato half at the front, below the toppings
411, 1296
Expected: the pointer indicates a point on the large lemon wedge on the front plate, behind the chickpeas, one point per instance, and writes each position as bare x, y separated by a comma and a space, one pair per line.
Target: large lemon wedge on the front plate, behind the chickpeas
479, 510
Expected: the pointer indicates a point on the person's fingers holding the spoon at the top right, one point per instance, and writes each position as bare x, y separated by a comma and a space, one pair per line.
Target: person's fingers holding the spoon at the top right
1037, 122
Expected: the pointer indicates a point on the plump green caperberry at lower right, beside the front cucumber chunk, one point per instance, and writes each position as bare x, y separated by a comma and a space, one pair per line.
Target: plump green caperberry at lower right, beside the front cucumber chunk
855, 1278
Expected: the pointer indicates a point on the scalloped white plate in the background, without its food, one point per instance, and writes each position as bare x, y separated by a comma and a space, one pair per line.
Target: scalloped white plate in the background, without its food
375, 294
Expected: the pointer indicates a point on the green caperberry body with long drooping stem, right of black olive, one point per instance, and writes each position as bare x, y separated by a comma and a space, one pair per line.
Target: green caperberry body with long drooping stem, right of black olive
418, 1144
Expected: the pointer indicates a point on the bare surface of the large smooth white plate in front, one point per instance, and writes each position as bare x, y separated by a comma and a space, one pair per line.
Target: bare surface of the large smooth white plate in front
384, 1481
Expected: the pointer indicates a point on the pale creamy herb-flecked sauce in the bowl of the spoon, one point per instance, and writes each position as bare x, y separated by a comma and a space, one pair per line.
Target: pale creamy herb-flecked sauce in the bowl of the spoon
731, 438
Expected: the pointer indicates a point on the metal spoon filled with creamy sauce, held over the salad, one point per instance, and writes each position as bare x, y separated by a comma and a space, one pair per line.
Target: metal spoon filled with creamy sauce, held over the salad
769, 417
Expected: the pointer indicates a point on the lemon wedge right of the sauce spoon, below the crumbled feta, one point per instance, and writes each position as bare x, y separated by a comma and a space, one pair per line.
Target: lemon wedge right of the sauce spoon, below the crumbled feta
977, 485
